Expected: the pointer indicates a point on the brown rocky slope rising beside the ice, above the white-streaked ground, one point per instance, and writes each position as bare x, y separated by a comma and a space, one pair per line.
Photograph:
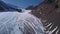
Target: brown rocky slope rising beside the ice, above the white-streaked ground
49, 10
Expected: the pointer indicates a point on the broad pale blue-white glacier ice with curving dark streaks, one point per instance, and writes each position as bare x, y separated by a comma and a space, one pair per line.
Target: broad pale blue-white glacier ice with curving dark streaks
20, 23
